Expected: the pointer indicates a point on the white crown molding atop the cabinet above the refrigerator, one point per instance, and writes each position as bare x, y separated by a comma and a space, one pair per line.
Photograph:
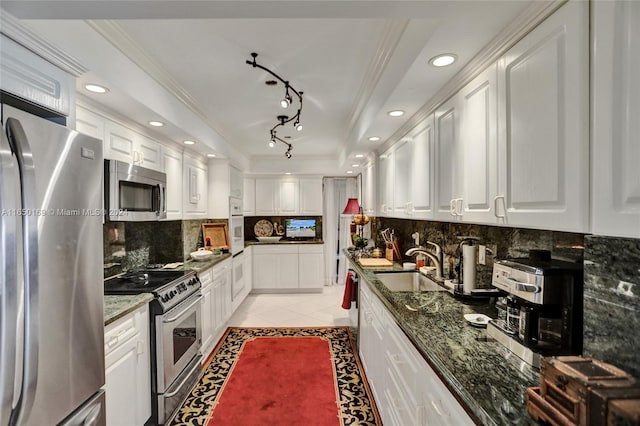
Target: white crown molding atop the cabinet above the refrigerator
21, 34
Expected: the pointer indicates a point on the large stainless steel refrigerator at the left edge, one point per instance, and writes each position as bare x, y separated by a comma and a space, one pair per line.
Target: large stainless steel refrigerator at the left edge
51, 297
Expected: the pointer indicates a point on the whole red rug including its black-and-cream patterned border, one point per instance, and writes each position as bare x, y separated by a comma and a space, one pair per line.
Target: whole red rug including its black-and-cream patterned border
281, 376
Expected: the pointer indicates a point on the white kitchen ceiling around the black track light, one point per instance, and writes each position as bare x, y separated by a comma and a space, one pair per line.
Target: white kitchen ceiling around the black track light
354, 61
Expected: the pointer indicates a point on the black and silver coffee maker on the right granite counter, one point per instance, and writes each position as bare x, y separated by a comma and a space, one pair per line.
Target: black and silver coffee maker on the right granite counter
542, 314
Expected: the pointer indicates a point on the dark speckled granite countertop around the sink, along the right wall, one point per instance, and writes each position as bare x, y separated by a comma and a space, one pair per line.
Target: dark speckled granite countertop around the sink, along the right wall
486, 378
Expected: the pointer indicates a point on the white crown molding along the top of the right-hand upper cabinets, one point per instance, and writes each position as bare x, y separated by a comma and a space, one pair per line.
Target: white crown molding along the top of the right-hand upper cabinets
507, 38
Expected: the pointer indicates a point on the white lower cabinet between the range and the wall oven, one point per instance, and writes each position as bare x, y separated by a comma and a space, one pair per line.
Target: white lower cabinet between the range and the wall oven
216, 304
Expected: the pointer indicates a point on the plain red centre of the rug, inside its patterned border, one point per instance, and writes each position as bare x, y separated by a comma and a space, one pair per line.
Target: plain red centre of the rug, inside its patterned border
280, 381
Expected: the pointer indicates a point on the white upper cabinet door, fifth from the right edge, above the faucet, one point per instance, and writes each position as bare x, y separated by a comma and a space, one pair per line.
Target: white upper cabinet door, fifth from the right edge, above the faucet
422, 147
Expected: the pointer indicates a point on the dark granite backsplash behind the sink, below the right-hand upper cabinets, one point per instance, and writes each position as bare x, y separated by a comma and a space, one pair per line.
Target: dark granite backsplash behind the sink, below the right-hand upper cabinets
503, 242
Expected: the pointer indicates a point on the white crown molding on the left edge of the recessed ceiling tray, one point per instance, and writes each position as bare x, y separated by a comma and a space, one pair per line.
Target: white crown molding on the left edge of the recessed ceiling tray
121, 40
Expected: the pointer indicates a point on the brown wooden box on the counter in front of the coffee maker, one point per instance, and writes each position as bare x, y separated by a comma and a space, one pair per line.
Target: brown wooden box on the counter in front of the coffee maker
566, 381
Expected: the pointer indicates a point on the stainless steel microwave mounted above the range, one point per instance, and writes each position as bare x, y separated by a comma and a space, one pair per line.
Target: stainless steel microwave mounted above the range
133, 193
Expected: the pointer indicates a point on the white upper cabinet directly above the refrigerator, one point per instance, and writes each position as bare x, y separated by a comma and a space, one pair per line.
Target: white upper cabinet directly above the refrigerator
30, 77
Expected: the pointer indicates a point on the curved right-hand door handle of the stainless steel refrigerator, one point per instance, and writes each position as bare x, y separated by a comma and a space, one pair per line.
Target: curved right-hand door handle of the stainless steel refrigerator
22, 150
